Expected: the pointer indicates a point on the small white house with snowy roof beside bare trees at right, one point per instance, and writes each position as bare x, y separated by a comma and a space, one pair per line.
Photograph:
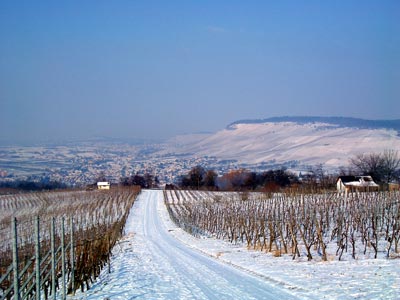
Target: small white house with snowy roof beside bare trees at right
356, 183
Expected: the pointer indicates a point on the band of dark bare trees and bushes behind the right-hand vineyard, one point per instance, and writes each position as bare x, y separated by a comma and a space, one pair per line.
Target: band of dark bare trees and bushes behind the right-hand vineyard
383, 167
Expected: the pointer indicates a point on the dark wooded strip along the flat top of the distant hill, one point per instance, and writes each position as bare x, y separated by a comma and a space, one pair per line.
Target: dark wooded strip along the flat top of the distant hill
338, 121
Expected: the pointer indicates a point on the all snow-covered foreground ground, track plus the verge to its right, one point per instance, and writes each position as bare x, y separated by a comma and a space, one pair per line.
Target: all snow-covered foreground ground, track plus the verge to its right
157, 260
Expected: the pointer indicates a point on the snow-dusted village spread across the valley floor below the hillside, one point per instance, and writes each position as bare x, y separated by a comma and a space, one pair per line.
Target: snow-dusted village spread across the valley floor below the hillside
83, 163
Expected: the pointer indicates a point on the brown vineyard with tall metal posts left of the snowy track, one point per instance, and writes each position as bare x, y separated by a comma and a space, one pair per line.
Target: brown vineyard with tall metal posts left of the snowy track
42, 259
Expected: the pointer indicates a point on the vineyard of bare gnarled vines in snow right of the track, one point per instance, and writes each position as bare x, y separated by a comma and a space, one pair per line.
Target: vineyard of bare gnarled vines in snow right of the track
325, 225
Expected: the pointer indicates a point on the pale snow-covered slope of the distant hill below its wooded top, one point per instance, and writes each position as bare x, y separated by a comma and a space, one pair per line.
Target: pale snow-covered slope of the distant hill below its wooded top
308, 143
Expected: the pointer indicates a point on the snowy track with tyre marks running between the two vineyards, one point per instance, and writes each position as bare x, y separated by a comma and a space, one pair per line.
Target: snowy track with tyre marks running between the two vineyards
149, 263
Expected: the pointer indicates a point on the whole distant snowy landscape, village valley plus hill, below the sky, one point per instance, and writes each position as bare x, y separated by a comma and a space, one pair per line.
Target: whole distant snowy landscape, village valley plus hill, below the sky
292, 142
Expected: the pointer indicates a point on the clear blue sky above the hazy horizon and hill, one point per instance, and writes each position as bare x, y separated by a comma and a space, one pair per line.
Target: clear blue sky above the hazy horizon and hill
154, 69
